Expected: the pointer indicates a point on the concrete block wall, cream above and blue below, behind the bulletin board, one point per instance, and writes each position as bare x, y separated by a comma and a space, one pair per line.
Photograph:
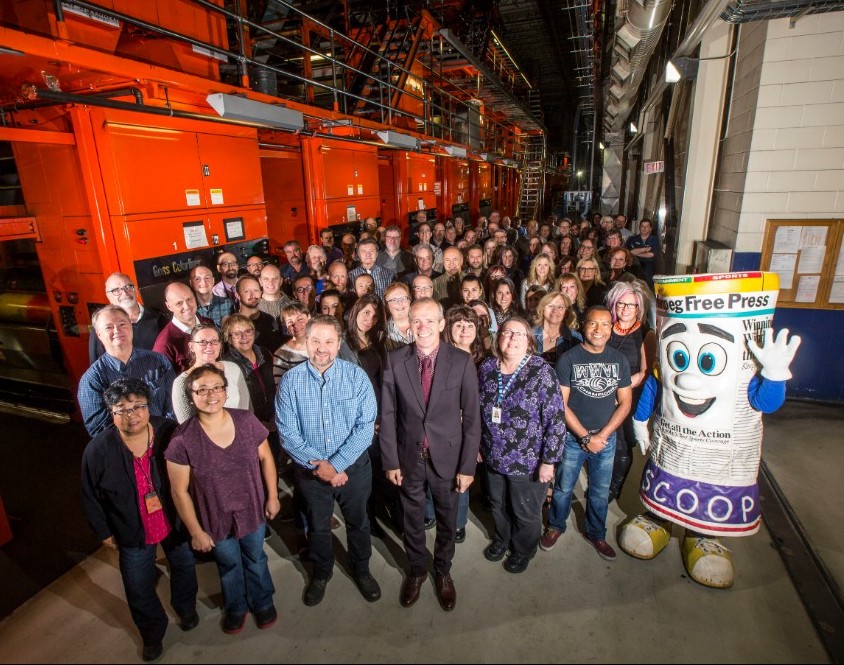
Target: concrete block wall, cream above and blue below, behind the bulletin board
783, 158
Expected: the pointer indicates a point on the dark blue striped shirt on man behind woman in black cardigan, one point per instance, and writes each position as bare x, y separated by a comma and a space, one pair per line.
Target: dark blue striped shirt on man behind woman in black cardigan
150, 367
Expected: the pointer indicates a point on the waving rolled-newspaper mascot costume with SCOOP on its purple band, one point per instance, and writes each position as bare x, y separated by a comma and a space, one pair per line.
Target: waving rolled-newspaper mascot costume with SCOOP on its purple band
718, 369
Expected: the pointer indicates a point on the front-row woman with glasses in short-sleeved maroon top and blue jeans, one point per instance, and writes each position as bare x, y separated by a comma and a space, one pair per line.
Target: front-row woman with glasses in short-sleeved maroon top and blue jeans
220, 459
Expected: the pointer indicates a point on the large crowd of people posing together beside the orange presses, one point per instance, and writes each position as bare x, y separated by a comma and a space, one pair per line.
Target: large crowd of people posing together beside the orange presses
385, 380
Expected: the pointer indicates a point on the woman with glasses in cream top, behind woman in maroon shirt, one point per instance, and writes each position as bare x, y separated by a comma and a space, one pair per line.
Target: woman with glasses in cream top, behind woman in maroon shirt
205, 348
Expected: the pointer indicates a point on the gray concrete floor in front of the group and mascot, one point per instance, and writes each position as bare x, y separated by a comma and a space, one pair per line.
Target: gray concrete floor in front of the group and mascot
570, 606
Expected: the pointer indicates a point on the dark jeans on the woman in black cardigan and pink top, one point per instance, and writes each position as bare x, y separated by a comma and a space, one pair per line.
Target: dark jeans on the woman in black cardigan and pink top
137, 568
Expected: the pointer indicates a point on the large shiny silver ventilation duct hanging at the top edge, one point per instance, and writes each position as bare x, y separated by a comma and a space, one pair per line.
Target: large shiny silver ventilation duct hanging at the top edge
635, 41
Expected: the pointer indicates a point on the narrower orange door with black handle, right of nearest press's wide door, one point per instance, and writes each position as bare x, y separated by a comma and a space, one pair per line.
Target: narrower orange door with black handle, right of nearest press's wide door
232, 170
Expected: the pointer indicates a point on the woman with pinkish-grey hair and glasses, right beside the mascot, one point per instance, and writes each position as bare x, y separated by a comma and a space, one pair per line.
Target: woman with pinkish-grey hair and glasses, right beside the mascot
628, 302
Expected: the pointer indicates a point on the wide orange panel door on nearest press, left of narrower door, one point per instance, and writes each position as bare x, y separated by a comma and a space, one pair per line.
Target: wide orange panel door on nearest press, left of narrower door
154, 169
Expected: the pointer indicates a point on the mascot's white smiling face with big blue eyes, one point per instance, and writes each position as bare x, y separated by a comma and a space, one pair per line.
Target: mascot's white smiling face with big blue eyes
698, 366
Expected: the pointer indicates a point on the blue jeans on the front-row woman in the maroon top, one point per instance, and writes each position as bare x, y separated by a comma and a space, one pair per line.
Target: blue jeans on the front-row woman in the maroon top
244, 573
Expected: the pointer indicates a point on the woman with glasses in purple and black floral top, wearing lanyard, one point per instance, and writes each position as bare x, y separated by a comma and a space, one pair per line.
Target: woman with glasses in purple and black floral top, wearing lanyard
523, 434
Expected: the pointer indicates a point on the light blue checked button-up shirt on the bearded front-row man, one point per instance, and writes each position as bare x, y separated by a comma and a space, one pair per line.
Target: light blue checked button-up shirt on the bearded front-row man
327, 416
